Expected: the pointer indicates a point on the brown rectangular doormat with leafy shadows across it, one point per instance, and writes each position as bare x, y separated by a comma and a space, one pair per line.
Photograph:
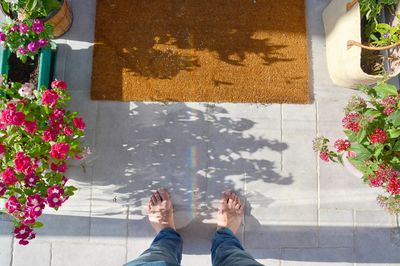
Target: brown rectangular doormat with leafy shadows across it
197, 50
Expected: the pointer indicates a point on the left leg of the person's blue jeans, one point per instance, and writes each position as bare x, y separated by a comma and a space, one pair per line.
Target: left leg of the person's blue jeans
166, 250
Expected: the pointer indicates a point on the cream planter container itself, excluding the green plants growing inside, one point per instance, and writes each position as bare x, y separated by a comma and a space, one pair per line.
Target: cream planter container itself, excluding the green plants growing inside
344, 64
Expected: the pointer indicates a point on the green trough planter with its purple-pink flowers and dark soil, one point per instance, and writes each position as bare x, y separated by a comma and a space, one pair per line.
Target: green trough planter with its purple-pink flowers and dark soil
27, 52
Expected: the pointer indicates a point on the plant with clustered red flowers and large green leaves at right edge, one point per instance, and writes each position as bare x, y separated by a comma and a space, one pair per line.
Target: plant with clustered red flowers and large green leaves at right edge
372, 127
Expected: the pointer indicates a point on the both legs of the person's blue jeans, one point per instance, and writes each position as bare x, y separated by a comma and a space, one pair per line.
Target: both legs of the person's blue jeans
166, 250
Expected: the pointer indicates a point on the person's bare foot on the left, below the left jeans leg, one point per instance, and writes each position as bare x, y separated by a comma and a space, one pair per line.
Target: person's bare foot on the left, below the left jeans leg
160, 210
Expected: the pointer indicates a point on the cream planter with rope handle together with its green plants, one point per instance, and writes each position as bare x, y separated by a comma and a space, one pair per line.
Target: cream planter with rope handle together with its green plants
362, 39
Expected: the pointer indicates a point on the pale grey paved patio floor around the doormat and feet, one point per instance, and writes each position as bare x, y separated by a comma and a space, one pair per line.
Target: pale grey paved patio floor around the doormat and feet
298, 210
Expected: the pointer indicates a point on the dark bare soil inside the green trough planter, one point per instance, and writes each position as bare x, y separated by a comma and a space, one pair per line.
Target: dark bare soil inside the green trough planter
23, 72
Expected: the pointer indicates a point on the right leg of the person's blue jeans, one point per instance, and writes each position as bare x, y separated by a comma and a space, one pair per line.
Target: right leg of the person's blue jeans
227, 250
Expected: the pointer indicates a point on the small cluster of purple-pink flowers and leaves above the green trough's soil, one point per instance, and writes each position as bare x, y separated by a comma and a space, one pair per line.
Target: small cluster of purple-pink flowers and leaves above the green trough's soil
26, 38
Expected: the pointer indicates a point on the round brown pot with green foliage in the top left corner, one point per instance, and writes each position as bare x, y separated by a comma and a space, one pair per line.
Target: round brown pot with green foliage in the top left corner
56, 12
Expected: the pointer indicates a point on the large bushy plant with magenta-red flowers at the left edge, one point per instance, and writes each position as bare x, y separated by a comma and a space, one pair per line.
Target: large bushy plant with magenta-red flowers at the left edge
37, 137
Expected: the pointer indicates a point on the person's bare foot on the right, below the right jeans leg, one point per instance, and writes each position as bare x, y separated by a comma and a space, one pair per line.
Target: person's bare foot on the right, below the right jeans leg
230, 212
